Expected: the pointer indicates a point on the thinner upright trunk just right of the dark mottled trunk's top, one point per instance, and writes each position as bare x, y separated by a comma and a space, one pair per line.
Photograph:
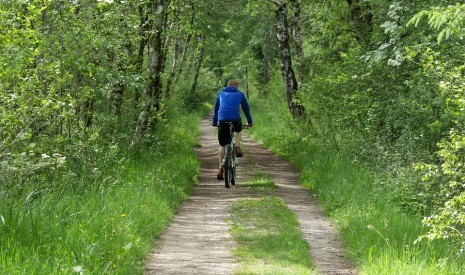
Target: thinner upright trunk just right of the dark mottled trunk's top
297, 34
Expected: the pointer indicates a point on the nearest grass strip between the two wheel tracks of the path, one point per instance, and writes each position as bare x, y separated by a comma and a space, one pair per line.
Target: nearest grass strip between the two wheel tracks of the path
268, 237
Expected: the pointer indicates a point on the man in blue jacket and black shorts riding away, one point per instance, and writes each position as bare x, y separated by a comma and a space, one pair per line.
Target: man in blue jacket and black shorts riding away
227, 109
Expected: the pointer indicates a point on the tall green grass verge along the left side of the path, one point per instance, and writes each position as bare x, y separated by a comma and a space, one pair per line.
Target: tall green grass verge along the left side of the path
106, 219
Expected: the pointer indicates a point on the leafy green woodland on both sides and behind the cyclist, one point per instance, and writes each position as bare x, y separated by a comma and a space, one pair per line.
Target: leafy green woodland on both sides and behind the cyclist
86, 85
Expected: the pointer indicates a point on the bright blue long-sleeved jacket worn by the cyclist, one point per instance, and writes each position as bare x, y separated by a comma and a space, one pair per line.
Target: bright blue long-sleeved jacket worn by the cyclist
227, 106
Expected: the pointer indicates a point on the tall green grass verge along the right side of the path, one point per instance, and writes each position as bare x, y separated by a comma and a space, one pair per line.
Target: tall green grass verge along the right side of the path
378, 236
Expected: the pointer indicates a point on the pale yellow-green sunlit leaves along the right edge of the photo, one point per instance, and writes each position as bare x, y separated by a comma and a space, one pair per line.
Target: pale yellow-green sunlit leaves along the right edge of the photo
445, 176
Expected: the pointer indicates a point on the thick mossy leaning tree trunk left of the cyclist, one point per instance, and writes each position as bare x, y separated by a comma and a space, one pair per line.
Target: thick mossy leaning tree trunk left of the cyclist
151, 97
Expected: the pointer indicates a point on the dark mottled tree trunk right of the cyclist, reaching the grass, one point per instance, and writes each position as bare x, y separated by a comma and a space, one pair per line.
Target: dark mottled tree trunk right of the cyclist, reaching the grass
290, 81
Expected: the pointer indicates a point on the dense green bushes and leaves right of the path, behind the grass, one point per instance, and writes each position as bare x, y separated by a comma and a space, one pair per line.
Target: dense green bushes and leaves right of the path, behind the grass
388, 103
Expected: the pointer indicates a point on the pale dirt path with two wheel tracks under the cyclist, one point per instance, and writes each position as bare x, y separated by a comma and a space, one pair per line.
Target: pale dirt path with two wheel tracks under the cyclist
198, 241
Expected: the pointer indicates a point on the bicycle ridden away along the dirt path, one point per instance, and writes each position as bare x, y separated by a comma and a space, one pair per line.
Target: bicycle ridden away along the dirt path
230, 159
